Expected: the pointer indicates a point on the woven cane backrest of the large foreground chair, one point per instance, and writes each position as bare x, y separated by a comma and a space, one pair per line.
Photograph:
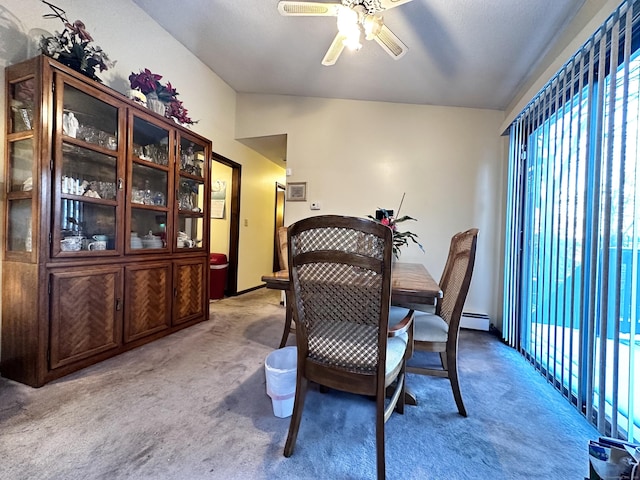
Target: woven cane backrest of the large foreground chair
340, 271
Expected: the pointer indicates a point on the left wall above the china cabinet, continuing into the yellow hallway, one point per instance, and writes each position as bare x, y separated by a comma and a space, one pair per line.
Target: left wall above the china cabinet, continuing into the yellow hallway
129, 36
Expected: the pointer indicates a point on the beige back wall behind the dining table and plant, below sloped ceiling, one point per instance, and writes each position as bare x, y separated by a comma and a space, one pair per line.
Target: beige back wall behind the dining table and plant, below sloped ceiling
356, 156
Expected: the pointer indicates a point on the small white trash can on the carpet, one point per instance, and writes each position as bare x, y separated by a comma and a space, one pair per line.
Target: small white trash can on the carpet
280, 369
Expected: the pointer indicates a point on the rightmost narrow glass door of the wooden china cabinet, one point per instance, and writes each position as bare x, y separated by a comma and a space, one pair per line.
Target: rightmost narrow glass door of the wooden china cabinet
191, 195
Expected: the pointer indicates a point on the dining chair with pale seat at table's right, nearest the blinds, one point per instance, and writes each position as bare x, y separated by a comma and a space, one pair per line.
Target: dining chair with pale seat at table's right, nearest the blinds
439, 331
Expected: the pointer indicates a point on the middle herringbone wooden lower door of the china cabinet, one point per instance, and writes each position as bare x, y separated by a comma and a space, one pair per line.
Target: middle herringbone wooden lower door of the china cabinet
148, 300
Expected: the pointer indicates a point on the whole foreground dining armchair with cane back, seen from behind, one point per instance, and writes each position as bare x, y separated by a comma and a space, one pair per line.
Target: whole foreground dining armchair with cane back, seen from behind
340, 270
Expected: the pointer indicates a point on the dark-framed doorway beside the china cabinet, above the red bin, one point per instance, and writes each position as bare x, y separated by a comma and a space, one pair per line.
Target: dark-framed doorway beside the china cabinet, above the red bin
225, 221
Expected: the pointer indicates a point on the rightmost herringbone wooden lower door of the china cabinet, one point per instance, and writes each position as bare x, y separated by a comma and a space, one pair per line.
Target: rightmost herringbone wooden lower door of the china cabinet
189, 290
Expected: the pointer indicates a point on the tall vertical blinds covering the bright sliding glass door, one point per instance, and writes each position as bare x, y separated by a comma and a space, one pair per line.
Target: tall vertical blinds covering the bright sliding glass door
572, 253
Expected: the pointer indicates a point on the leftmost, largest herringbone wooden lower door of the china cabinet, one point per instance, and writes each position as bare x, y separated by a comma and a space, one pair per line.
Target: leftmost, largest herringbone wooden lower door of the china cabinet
85, 316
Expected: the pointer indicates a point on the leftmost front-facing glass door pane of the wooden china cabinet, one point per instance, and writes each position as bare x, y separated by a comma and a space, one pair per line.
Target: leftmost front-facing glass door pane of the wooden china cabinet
88, 175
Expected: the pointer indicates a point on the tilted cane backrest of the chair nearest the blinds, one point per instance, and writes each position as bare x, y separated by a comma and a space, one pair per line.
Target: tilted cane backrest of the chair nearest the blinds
456, 277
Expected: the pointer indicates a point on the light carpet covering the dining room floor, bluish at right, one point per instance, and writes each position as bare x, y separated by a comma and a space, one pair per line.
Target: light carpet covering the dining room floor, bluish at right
194, 406
